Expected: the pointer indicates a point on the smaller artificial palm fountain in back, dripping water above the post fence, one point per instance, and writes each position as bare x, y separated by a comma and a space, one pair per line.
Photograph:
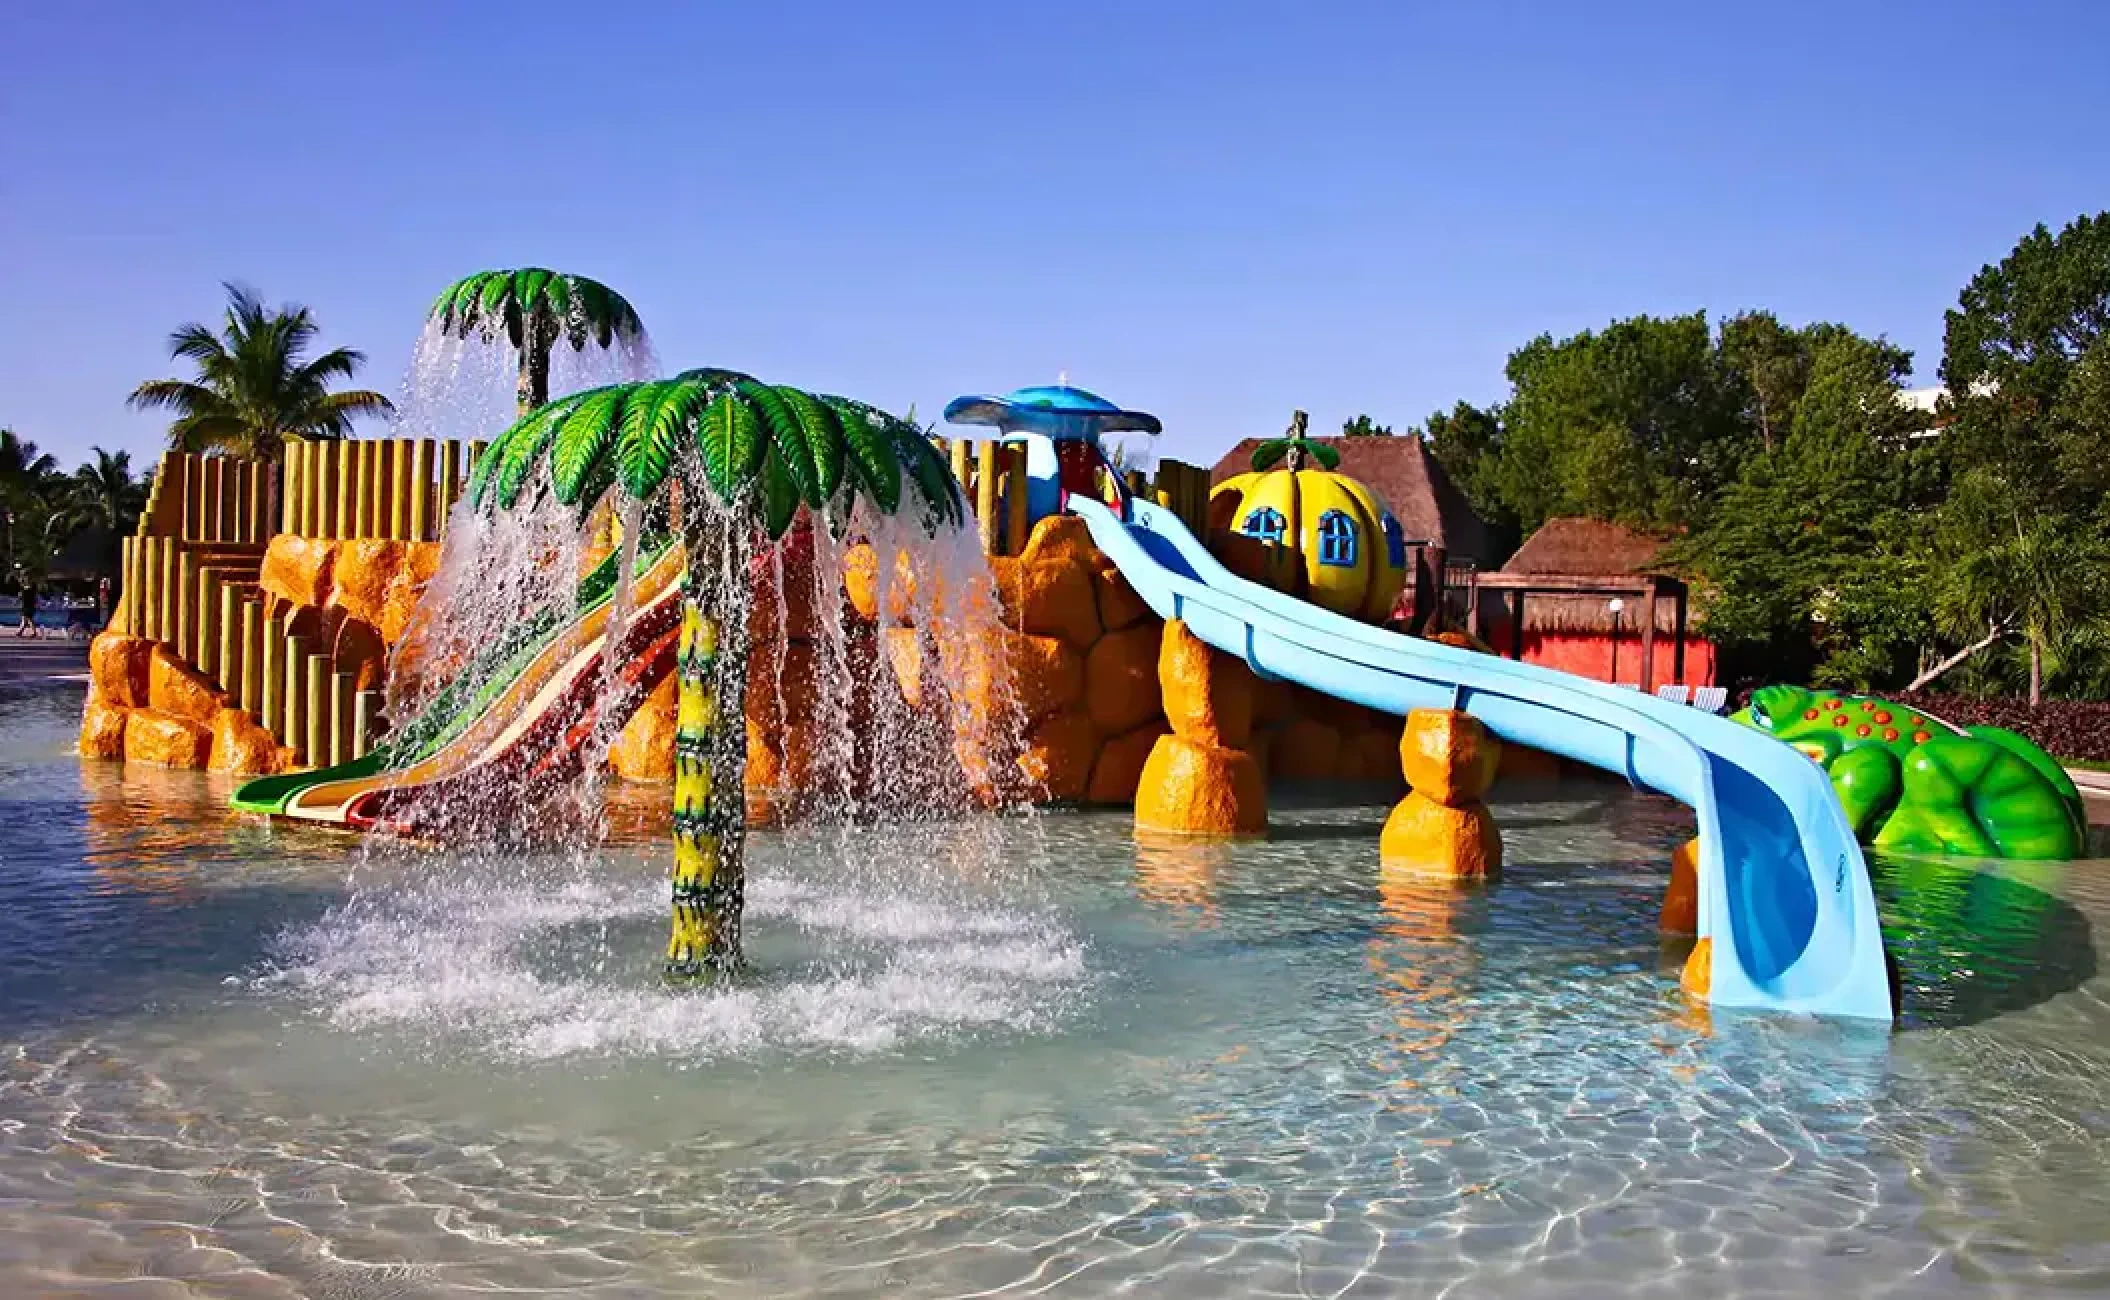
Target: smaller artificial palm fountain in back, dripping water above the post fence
535, 309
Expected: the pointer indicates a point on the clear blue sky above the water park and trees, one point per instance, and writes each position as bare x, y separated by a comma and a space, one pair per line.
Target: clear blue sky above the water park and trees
1214, 212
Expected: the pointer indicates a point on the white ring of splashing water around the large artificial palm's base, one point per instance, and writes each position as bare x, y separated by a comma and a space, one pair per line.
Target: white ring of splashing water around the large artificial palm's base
560, 961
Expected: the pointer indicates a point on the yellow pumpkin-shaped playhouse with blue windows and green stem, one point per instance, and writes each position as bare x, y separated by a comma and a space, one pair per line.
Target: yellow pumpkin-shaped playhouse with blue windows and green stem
1349, 546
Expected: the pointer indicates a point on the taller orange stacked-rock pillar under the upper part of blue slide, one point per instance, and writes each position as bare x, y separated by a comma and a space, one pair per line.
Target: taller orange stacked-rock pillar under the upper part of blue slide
1202, 780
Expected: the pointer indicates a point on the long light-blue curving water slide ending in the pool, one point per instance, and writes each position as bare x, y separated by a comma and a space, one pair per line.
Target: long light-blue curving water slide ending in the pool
1782, 881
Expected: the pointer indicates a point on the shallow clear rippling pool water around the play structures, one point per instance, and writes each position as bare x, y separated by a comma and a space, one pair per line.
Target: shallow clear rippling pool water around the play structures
1008, 1056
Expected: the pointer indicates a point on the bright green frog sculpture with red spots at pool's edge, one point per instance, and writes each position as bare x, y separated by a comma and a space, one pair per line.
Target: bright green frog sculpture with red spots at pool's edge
1915, 784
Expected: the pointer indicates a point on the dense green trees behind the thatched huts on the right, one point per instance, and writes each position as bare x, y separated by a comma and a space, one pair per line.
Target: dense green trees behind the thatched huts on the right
1835, 533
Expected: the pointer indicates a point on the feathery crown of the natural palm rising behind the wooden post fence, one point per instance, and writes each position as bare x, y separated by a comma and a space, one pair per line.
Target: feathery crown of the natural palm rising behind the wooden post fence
256, 385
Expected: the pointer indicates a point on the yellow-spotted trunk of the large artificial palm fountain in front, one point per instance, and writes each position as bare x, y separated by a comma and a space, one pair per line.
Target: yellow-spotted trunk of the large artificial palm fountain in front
710, 792
